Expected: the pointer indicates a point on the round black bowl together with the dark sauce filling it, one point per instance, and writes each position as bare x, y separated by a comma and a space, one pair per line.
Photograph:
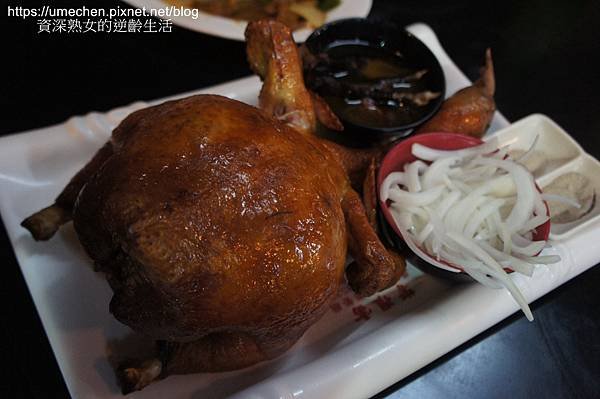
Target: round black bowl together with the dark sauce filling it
374, 77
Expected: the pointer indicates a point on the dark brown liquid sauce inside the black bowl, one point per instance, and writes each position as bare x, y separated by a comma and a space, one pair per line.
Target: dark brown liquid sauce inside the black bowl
371, 86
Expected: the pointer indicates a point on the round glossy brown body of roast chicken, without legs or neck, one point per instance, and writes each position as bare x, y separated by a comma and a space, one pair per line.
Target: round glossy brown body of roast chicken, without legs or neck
208, 215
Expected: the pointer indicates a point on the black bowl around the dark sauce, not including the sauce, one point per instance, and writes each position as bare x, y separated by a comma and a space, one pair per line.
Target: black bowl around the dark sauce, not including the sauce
389, 38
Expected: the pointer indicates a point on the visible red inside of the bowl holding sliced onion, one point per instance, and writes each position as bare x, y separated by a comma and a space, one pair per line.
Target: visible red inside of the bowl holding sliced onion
401, 154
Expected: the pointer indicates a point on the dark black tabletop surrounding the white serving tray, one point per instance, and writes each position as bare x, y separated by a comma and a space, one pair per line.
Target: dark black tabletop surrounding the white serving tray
546, 60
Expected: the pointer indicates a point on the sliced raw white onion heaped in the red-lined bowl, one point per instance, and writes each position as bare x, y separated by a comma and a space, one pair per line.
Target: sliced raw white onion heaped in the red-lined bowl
474, 208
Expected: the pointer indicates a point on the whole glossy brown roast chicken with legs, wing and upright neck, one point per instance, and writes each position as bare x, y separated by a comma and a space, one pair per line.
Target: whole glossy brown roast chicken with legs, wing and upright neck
223, 229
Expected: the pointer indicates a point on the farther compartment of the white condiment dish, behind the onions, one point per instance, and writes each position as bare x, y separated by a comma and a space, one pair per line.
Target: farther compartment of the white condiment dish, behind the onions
554, 147
